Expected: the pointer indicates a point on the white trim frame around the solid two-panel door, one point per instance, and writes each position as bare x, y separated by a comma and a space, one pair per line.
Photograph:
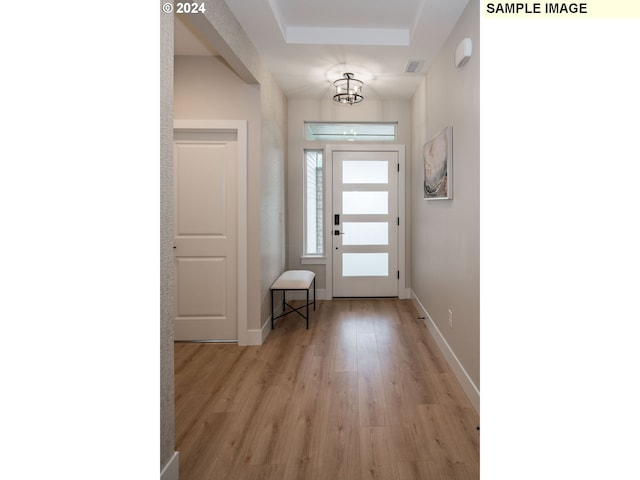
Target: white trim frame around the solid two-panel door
239, 127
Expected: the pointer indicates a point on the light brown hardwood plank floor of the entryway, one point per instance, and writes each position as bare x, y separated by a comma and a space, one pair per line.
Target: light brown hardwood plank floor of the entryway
363, 394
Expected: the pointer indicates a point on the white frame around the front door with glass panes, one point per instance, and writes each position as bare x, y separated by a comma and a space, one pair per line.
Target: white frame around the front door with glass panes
362, 147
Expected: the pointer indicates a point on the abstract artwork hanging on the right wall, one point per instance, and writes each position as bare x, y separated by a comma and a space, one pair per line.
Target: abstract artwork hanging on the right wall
437, 155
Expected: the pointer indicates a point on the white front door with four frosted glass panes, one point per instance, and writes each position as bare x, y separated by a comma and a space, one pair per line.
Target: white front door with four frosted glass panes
365, 223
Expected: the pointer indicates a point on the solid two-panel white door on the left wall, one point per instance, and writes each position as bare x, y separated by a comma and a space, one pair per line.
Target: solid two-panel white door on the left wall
205, 247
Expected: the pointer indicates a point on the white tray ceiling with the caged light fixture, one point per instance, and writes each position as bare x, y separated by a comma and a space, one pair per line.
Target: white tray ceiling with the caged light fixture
308, 44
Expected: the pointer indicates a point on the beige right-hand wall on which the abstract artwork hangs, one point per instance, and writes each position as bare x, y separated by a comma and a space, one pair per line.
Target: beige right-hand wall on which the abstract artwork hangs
445, 239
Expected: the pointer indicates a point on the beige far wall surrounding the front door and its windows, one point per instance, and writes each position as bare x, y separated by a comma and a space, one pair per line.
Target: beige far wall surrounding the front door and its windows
325, 110
